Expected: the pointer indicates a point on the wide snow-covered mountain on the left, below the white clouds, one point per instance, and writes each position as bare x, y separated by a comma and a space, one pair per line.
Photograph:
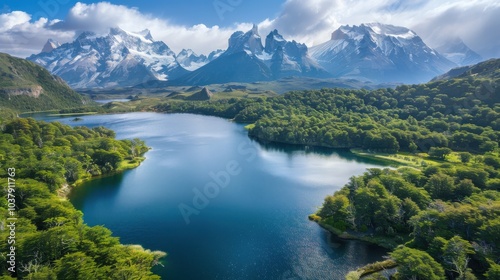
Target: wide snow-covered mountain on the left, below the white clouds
120, 58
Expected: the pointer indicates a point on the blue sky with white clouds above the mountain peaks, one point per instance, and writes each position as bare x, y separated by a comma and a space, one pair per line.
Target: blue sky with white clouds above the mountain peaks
205, 25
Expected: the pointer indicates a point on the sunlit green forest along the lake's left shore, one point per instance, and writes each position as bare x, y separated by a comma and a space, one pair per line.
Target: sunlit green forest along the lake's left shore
51, 239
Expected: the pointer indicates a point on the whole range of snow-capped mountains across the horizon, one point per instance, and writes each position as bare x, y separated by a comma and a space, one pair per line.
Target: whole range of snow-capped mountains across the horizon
373, 52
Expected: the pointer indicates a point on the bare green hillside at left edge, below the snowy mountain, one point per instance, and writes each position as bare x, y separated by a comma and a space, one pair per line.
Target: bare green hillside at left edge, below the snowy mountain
25, 86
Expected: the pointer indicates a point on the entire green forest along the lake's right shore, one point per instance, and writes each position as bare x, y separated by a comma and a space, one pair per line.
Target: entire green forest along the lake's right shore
441, 220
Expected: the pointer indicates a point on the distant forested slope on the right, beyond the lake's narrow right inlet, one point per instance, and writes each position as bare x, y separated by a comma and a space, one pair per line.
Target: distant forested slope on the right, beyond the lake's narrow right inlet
460, 114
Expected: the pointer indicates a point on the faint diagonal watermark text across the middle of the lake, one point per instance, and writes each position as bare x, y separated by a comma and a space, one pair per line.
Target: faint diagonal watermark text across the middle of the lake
218, 181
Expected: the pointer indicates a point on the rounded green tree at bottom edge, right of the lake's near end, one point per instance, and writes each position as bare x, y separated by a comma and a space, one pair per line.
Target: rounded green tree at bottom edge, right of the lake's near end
416, 264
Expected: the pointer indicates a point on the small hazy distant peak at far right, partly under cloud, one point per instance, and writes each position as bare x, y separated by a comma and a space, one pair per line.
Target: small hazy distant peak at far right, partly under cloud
457, 51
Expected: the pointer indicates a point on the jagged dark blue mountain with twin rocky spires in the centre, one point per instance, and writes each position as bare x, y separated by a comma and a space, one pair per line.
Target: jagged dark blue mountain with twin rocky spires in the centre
247, 60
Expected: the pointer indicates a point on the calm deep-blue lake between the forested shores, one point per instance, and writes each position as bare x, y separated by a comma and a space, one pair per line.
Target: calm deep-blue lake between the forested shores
253, 227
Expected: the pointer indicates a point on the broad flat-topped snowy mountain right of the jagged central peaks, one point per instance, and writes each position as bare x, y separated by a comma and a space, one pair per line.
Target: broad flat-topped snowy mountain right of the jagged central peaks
381, 53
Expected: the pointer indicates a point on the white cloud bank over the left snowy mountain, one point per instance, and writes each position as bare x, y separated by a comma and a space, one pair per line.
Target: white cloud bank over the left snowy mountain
22, 38
